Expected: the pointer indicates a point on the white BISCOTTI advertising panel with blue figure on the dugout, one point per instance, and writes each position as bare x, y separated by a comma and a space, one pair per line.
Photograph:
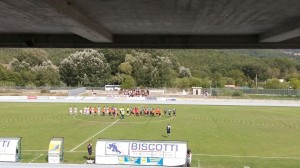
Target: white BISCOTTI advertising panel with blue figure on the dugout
133, 152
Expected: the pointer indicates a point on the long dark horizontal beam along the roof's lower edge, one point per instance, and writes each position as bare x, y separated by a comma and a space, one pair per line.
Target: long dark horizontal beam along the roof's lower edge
144, 41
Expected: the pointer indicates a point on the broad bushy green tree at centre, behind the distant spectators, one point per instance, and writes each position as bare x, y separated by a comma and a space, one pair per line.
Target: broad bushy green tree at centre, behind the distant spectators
154, 69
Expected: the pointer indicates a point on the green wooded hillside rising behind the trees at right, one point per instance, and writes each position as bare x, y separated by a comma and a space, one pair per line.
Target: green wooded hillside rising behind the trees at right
203, 63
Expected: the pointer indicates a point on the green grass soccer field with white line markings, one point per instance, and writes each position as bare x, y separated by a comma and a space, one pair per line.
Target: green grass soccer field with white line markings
219, 136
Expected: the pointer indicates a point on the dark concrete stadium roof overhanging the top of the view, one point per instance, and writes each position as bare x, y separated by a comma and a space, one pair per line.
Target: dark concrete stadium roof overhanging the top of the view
150, 23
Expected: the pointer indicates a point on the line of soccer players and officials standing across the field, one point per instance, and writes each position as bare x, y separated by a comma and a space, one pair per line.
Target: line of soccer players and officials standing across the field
129, 111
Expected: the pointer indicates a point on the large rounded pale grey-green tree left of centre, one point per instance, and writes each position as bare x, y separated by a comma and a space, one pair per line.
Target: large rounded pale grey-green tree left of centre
86, 68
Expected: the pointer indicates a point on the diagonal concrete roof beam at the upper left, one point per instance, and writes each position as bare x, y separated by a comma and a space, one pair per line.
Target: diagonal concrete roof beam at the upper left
85, 27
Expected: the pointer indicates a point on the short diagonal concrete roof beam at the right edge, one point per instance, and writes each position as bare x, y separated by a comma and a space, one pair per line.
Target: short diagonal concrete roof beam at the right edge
281, 33
